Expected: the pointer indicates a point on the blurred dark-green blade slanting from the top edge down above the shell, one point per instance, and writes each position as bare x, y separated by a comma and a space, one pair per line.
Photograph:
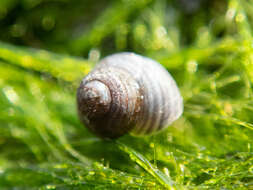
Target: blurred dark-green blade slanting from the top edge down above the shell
108, 22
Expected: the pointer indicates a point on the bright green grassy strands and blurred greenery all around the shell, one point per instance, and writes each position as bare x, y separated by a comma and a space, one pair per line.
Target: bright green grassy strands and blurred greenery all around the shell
47, 46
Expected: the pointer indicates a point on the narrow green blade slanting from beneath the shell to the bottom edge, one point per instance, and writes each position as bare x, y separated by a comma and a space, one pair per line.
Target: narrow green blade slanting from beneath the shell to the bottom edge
165, 180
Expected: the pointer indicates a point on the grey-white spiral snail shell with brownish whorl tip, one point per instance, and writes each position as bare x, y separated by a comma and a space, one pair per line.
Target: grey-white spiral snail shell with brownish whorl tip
125, 93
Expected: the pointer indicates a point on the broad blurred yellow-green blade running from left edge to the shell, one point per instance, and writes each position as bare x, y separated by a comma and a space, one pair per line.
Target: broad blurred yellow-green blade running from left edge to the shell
62, 67
